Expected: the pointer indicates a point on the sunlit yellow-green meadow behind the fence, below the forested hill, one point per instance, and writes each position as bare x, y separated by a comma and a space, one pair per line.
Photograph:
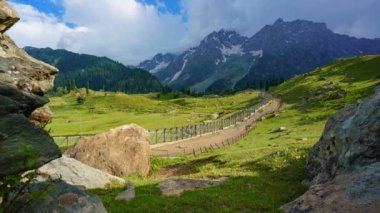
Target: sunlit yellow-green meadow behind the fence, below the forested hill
100, 113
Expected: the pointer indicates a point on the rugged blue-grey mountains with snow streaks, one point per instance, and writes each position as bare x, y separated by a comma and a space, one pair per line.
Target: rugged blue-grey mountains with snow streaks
227, 60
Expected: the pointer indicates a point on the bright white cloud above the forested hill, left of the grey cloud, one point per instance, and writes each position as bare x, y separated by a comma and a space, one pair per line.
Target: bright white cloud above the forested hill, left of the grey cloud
125, 30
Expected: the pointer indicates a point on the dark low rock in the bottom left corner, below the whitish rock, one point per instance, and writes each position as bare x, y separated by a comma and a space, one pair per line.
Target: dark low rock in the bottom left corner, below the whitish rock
60, 197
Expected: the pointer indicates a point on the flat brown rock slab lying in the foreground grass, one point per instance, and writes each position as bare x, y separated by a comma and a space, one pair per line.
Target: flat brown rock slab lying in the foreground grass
175, 187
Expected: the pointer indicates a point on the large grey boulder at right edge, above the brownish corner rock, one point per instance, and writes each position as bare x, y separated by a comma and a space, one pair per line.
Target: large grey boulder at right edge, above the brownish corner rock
351, 139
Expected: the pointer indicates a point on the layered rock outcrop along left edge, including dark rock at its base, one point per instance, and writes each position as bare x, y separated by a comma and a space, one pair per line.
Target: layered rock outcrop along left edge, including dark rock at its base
23, 145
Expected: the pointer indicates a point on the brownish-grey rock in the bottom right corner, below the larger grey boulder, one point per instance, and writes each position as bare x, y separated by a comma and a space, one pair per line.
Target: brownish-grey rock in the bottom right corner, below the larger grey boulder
358, 191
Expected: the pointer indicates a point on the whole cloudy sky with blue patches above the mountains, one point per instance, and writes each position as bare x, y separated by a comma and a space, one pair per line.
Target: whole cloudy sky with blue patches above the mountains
133, 30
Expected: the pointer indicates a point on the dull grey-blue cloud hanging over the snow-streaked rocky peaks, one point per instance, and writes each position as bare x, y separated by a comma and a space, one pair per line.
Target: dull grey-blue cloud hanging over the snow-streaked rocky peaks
356, 18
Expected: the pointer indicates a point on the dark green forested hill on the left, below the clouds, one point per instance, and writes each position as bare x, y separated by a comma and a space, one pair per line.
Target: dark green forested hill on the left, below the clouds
97, 72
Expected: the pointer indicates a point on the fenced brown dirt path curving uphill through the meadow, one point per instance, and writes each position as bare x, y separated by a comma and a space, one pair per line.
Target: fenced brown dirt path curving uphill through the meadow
213, 140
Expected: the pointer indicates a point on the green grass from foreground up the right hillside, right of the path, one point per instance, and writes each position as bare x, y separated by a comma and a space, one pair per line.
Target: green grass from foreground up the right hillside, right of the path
265, 169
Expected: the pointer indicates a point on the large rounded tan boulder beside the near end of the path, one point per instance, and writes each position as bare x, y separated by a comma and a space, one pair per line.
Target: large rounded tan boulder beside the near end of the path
120, 151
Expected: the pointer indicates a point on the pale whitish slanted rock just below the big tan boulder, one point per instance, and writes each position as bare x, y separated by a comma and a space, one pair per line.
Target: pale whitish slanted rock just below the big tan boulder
74, 172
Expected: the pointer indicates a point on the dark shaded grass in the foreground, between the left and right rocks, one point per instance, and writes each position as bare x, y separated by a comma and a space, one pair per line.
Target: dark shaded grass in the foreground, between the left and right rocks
271, 185
